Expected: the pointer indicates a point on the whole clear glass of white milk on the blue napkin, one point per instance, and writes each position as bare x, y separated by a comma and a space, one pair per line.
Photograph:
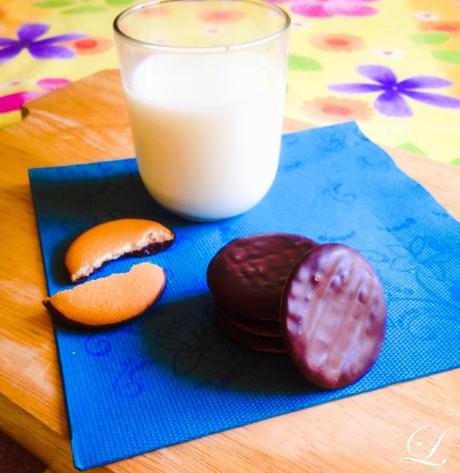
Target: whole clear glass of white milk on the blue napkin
205, 85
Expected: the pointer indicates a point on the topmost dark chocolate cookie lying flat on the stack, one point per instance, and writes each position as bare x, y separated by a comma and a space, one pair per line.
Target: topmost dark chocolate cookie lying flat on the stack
247, 275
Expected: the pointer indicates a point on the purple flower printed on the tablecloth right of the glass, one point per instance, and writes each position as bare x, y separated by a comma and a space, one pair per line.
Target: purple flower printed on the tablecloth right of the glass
391, 100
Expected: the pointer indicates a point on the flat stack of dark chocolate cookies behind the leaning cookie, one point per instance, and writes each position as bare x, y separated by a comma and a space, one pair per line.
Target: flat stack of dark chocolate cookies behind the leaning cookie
247, 278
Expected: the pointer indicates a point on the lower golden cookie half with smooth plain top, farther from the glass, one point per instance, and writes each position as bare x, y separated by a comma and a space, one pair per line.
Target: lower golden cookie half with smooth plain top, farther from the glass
110, 300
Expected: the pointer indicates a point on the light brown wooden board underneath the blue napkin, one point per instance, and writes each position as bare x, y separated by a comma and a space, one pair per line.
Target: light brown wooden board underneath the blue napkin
87, 121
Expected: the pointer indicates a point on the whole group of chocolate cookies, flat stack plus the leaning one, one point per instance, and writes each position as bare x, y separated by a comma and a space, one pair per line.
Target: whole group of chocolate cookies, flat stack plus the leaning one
322, 304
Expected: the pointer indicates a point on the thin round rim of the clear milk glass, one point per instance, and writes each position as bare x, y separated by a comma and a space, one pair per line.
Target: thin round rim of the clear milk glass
202, 49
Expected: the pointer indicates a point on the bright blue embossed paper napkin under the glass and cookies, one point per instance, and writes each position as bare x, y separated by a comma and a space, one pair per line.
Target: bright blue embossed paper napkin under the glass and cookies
171, 376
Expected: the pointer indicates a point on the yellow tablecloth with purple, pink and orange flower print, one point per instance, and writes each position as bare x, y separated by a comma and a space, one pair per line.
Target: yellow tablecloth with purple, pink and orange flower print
391, 65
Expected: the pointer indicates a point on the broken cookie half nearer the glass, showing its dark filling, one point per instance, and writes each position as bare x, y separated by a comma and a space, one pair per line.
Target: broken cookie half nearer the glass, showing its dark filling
111, 240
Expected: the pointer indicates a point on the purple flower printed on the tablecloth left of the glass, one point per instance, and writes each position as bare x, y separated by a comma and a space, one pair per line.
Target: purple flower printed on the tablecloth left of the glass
47, 48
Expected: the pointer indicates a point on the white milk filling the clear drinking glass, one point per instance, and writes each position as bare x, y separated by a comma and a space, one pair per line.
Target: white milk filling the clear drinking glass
207, 130
